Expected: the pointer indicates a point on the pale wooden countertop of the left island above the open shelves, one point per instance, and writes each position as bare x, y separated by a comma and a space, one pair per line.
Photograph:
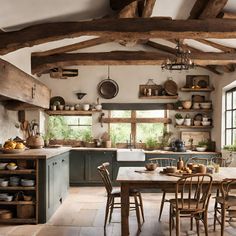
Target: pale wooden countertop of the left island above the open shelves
42, 153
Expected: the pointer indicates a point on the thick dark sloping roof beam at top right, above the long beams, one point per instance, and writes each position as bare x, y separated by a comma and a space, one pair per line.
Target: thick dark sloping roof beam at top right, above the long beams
212, 8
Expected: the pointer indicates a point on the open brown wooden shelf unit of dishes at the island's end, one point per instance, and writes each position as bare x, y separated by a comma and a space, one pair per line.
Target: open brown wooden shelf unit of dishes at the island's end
24, 204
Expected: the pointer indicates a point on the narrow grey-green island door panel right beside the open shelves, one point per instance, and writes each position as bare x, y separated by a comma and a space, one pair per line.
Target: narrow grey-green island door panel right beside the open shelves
50, 189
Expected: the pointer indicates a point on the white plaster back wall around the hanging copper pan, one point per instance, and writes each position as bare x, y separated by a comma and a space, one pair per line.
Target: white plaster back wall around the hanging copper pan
128, 78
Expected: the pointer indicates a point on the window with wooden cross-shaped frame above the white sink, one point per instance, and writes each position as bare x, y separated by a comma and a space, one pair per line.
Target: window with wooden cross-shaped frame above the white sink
142, 125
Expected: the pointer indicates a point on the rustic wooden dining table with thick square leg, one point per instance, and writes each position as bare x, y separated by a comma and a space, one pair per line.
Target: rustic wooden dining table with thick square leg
138, 177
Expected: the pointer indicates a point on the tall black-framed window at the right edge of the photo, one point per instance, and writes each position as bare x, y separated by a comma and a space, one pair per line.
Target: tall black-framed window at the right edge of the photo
230, 117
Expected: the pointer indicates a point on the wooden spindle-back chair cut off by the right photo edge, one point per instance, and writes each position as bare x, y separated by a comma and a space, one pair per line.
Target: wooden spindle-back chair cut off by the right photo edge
225, 202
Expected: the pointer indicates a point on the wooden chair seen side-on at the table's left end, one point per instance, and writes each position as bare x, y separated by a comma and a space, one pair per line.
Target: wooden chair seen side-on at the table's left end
112, 194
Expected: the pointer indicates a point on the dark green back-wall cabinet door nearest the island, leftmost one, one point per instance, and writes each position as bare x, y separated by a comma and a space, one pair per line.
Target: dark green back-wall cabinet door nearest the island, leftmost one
77, 167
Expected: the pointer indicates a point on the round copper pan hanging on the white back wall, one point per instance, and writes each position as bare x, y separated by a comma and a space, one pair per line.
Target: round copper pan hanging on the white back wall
108, 88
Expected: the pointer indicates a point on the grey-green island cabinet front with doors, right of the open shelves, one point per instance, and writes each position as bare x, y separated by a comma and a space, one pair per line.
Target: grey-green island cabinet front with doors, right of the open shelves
57, 182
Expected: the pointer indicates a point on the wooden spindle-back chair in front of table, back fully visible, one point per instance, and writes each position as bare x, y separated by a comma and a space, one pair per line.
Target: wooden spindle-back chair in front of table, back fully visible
192, 194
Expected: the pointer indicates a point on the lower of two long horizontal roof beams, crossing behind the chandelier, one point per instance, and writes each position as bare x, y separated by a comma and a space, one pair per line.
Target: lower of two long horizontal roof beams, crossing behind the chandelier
43, 64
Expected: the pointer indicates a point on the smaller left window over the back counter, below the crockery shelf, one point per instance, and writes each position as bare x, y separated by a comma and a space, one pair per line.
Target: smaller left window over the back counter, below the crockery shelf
70, 127
